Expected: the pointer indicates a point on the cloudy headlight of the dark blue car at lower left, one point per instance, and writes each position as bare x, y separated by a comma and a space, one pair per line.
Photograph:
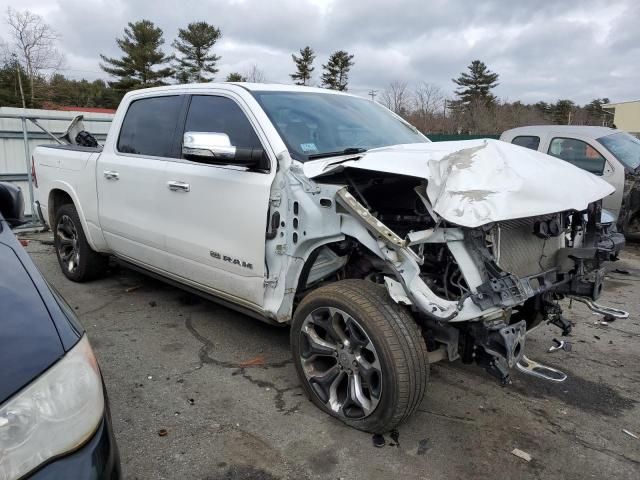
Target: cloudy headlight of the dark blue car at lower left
53, 415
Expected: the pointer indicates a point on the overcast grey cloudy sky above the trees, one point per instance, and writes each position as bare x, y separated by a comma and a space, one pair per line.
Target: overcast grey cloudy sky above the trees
543, 50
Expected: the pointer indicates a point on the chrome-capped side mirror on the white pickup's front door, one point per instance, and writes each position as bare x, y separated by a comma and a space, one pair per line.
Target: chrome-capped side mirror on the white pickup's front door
213, 147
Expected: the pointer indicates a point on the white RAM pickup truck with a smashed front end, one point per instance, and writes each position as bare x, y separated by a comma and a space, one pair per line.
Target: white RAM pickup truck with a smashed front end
383, 251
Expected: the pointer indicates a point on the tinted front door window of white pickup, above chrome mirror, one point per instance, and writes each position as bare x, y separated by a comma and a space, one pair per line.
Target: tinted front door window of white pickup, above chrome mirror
213, 114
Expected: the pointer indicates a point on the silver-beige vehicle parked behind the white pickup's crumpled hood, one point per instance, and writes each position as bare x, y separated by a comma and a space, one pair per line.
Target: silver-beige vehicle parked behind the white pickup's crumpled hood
612, 154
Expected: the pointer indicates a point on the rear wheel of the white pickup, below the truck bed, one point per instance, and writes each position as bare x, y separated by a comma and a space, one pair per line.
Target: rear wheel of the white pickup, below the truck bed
76, 258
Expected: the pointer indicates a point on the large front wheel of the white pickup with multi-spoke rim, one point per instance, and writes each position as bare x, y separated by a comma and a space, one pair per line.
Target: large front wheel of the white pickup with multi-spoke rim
389, 330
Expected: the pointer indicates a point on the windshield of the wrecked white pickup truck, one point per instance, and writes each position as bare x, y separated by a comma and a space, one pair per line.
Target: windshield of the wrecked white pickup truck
315, 125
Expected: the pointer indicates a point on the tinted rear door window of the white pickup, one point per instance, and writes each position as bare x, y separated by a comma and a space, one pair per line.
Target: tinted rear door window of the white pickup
149, 126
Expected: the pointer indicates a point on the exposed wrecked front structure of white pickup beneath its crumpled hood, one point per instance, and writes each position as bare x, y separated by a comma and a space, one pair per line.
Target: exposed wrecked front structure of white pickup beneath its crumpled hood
477, 291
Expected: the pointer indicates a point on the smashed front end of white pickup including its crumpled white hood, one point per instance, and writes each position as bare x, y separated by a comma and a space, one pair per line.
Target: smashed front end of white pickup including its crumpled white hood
474, 238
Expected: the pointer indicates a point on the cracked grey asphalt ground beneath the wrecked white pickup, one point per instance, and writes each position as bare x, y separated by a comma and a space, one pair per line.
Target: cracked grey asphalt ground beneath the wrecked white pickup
181, 364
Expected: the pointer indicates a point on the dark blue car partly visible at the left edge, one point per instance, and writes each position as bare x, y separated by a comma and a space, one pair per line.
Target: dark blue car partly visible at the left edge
54, 413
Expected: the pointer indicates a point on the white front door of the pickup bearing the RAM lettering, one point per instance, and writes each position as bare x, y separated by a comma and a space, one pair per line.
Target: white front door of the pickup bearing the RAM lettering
215, 223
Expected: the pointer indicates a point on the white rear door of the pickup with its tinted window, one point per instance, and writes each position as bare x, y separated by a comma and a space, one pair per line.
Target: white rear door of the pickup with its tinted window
130, 179
